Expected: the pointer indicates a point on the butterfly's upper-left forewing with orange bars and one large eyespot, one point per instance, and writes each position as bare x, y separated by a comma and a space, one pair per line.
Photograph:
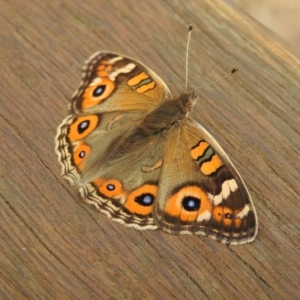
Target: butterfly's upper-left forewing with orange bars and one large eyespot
112, 82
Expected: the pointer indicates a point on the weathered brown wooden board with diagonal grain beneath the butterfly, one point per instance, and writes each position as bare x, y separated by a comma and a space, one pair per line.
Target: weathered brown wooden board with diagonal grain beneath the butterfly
53, 246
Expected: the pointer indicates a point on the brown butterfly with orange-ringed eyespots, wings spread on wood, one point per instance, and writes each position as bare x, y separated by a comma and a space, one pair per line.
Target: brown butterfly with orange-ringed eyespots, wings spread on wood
133, 152
